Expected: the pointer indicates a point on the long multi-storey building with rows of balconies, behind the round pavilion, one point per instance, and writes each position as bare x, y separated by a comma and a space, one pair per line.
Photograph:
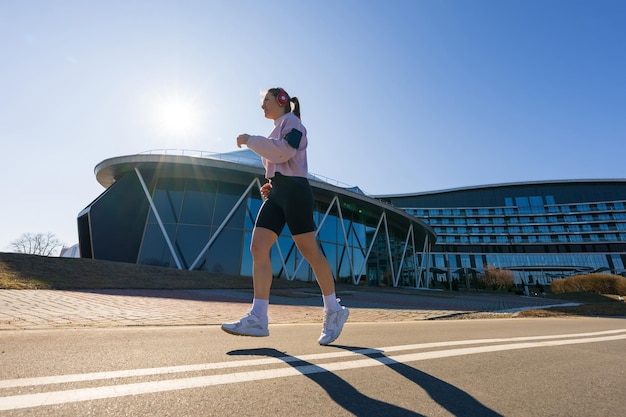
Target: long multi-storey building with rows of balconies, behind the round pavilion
538, 230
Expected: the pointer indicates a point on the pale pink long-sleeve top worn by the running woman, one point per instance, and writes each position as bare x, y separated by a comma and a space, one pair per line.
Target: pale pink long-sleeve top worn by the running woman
277, 154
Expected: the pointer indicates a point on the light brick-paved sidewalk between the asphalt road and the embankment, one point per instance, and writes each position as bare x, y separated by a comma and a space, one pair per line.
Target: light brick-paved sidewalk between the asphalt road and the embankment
45, 309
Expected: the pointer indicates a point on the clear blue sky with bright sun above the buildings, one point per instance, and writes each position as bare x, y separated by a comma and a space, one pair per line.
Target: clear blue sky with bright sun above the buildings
398, 96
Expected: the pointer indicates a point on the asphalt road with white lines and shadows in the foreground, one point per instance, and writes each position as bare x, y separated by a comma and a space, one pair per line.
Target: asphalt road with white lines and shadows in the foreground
498, 367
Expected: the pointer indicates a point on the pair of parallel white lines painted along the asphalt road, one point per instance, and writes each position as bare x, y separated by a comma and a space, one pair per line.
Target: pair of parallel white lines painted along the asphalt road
112, 391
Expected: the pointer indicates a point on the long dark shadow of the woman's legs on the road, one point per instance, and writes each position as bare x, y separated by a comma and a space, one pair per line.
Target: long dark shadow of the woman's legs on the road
456, 401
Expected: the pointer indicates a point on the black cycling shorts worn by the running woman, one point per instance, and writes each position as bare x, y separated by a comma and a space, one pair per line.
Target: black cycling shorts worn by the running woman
290, 202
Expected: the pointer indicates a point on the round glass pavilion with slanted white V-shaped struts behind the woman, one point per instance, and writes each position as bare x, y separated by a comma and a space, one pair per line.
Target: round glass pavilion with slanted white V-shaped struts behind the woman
196, 211
